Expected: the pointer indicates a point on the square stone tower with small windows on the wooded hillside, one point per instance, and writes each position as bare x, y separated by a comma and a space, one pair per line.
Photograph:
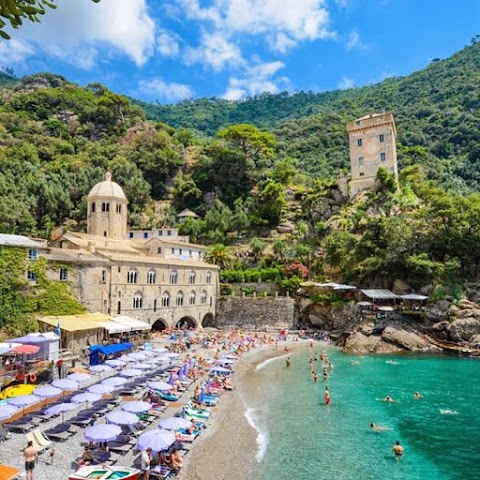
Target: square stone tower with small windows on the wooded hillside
372, 141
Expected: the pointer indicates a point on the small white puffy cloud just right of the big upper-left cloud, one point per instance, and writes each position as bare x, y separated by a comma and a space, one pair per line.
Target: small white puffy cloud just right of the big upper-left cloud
214, 51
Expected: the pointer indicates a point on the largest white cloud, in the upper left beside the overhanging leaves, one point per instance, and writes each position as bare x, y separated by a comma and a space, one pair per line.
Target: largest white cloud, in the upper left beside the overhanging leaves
76, 31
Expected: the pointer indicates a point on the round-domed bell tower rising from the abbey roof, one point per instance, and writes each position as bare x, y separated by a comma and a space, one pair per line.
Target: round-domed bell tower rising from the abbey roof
107, 210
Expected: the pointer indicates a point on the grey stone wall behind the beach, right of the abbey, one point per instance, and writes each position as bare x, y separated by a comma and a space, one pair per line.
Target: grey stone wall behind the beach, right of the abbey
276, 312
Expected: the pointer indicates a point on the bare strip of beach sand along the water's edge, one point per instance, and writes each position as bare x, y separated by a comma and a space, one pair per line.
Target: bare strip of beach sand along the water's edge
231, 440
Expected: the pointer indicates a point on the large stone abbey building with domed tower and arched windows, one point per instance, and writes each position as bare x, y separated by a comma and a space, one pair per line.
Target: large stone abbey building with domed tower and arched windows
154, 276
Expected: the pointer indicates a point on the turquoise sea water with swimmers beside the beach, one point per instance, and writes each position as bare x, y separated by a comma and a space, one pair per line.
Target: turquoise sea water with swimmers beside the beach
302, 439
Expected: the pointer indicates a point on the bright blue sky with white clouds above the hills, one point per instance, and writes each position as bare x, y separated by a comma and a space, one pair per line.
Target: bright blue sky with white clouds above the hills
170, 50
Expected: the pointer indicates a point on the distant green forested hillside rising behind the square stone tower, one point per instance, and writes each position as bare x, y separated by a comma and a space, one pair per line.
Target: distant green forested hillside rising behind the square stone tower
437, 113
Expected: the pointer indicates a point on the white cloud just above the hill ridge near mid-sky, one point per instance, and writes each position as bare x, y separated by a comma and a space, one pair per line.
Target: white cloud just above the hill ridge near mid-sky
256, 79
